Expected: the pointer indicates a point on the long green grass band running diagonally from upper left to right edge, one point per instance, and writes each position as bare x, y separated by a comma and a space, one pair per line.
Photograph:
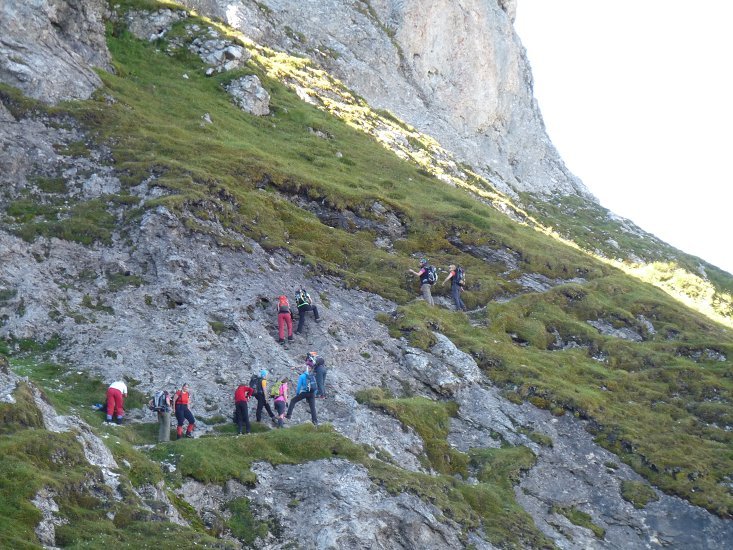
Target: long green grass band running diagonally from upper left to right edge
211, 171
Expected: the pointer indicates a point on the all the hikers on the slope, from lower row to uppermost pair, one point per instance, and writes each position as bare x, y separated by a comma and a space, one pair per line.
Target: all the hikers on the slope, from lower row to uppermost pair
311, 383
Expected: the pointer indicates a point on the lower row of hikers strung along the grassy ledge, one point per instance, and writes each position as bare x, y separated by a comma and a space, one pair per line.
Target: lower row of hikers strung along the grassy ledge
311, 386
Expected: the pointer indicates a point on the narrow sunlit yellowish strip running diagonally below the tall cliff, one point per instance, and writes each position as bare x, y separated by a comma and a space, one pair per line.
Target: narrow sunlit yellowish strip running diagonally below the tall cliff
319, 88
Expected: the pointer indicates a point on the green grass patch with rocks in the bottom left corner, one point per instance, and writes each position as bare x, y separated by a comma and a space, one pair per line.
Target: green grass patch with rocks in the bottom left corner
33, 459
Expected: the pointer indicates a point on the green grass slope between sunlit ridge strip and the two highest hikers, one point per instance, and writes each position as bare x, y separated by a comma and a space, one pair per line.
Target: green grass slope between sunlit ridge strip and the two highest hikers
239, 150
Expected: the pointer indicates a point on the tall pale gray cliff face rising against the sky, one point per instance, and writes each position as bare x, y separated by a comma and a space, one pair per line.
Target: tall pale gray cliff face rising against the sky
454, 70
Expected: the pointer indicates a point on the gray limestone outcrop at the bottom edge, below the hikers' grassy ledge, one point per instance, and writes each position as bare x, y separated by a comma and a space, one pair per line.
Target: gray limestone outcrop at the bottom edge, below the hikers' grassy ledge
333, 504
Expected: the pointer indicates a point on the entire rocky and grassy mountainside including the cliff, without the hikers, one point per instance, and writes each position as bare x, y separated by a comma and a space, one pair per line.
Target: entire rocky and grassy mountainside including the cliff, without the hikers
147, 230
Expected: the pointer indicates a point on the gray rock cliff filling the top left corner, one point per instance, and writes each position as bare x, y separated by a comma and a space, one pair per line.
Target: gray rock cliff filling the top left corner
49, 48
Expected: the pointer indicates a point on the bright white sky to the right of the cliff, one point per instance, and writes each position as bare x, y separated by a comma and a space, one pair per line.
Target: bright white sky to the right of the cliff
637, 96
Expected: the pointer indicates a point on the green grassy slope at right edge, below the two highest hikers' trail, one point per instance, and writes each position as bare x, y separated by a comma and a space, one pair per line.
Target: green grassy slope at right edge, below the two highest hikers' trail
659, 412
